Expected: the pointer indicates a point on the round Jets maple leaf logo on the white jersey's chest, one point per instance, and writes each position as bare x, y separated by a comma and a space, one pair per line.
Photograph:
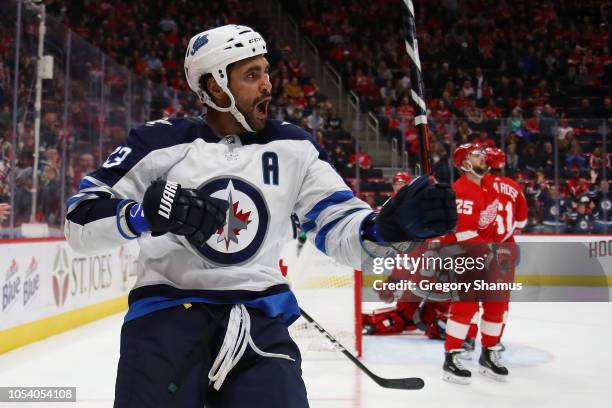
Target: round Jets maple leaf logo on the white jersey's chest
246, 222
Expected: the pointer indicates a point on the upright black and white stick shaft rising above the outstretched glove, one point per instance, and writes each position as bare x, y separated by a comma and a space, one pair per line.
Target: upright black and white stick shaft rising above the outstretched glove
417, 92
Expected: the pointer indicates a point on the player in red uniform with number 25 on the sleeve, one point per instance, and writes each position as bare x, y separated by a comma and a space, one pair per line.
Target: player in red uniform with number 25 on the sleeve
477, 205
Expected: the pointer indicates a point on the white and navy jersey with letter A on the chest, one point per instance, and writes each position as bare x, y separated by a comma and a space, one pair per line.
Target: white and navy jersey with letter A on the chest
265, 177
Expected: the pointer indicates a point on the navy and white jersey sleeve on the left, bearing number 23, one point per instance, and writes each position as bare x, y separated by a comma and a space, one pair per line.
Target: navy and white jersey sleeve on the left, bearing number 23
95, 215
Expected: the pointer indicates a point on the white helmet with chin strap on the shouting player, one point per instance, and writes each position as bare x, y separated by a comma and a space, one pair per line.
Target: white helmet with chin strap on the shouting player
211, 51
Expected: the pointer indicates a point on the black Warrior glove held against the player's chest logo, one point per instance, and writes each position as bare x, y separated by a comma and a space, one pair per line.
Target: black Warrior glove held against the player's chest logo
183, 211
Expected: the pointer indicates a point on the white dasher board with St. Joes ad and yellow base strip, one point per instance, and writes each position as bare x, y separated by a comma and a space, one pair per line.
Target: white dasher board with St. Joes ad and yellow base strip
48, 288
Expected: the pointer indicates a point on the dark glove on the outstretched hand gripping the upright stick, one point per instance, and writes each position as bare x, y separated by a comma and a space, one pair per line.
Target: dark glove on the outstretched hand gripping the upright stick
421, 210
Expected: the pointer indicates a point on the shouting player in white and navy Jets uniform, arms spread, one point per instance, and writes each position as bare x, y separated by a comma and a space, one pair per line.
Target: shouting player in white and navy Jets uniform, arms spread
208, 200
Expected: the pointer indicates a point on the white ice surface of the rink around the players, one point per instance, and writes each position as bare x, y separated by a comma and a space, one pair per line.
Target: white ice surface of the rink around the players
558, 354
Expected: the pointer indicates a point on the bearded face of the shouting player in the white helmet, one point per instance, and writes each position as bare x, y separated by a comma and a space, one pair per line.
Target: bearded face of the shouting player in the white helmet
250, 85
